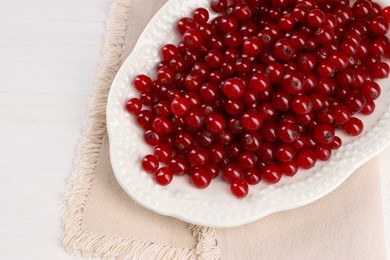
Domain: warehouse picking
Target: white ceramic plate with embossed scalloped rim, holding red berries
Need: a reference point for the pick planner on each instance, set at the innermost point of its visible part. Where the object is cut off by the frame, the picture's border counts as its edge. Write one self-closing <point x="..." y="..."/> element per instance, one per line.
<point x="215" y="206"/>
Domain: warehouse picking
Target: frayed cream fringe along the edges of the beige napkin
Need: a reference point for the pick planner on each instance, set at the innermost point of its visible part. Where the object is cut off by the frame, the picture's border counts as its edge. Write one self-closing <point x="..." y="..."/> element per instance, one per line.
<point x="74" y="239"/>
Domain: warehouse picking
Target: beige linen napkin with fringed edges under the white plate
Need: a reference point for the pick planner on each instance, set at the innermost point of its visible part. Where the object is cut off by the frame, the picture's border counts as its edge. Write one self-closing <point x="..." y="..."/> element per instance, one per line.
<point x="100" y="220"/>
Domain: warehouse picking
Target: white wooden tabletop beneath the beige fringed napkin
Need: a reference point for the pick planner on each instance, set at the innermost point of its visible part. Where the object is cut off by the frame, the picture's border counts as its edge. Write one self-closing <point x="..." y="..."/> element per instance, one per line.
<point x="49" y="54"/>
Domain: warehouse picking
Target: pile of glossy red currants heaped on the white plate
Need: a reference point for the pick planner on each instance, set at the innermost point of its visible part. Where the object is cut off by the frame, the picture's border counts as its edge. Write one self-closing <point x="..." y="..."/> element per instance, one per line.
<point x="257" y="92"/>
